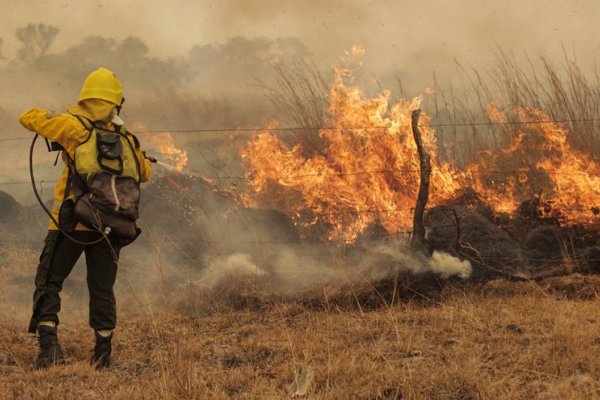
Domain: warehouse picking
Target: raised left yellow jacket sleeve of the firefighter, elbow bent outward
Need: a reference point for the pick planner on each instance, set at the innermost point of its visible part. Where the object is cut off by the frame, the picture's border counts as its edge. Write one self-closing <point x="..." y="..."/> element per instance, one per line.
<point x="58" y="127"/>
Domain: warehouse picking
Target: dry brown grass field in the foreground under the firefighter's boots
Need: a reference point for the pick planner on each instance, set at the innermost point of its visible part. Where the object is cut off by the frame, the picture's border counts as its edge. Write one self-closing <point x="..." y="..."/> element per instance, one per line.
<point x="402" y="340"/>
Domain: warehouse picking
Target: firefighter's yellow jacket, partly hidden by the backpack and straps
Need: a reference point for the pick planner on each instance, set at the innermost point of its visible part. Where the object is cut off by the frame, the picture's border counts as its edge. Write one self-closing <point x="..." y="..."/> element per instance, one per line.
<point x="69" y="132"/>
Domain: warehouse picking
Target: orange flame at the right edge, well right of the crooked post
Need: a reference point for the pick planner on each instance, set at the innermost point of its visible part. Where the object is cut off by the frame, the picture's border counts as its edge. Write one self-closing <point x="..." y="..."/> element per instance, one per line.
<point x="544" y="166"/>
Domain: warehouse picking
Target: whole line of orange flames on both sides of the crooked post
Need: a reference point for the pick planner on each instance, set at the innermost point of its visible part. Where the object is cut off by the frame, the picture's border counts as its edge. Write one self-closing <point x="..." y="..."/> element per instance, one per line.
<point x="366" y="171"/>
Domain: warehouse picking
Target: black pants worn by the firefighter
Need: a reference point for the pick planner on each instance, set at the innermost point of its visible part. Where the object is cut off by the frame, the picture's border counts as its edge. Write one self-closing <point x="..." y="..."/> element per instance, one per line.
<point x="56" y="262"/>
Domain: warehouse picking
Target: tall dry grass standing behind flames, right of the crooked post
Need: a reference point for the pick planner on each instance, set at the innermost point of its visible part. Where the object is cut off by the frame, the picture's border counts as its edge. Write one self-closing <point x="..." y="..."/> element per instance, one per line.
<point x="564" y="90"/>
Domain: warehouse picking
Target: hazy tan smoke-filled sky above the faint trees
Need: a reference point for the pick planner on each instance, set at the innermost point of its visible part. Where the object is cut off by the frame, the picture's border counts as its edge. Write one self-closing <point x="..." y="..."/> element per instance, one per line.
<point x="399" y="34"/>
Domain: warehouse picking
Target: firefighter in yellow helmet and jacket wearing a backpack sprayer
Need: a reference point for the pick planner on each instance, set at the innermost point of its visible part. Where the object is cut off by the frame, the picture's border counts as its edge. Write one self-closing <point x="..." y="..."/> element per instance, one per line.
<point x="96" y="112"/>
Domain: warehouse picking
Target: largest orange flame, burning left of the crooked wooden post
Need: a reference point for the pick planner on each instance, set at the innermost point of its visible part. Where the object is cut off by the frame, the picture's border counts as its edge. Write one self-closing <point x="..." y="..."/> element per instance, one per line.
<point x="365" y="172"/>
